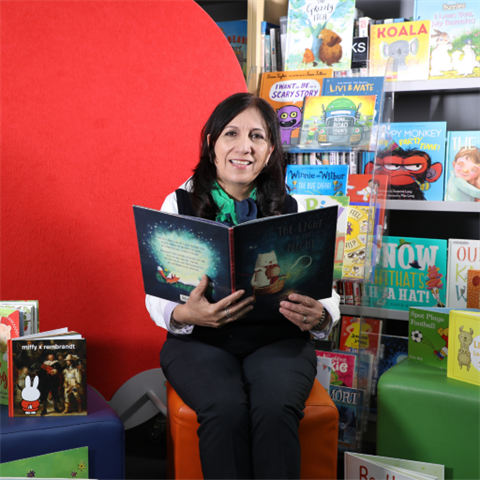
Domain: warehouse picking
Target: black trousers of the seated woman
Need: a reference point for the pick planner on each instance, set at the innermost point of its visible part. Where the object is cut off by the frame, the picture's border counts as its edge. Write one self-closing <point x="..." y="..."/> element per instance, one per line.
<point x="248" y="407"/>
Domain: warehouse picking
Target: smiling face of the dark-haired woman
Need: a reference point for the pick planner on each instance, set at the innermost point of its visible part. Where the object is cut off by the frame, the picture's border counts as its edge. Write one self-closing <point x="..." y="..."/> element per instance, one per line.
<point x="241" y="151"/>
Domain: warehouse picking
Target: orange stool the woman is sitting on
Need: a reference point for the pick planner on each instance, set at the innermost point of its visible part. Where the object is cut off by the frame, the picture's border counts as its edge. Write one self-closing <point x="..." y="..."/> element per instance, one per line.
<point x="318" y="438"/>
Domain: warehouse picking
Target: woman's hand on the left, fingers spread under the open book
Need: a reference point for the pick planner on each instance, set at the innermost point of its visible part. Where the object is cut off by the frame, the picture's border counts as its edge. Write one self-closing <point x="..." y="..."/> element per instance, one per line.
<point x="199" y="311"/>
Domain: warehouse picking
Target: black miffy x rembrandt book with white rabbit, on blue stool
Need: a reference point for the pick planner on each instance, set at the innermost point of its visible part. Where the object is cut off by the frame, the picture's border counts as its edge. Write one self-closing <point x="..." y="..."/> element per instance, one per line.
<point x="47" y="374"/>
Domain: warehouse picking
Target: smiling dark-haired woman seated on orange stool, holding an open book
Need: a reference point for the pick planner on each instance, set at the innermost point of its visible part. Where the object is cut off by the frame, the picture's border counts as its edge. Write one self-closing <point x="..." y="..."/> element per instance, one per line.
<point x="246" y="380"/>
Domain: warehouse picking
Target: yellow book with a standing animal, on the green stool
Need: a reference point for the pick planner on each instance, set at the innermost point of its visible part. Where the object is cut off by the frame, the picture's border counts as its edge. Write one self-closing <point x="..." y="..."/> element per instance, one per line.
<point x="464" y="346"/>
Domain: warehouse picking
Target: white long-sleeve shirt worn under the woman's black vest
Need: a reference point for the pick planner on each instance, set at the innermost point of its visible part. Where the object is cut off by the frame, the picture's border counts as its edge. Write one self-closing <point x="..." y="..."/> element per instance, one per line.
<point x="160" y="310"/>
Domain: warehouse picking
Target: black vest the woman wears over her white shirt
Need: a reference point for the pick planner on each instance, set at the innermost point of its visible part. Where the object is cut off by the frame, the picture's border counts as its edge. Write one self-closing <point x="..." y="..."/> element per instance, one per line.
<point x="242" y="336"/>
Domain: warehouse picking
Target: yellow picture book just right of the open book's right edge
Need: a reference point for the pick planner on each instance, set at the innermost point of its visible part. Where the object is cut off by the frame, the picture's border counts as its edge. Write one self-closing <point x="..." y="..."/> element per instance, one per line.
<point x="355" y="242"/>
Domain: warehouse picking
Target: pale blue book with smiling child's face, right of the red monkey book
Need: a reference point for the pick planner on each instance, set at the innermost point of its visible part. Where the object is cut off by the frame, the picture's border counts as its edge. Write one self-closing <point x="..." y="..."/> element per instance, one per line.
<point x="462" y="166"/>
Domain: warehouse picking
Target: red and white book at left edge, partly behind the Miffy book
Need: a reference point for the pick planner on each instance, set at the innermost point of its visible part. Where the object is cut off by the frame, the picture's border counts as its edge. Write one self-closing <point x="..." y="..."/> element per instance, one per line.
<point x="11" y="326"/>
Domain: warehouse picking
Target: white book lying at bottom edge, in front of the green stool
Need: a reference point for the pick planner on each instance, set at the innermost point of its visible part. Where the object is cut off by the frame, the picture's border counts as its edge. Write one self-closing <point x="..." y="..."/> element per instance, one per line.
<point x="362" y="466"/>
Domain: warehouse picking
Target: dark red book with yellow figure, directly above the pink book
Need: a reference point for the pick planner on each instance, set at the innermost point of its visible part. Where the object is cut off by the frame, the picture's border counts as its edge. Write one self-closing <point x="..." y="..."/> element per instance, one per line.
<point x="369" y="339"/>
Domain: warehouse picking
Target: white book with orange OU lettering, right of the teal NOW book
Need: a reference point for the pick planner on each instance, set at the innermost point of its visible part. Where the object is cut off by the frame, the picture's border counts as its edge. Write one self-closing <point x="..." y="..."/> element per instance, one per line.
<point x="463" y="256"/>
